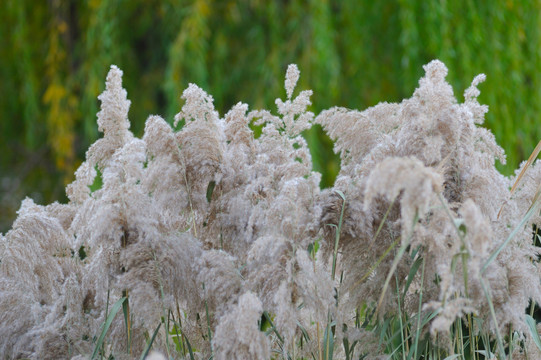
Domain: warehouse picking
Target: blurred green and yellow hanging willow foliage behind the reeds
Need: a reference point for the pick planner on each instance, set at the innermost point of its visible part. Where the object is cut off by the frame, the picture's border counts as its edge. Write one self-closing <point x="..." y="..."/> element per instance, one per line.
<point x="55" y="55"/>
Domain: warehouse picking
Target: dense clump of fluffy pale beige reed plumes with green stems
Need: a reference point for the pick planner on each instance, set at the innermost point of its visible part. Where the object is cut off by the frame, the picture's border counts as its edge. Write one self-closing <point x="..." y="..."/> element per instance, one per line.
<point x="202" y="240"/>
